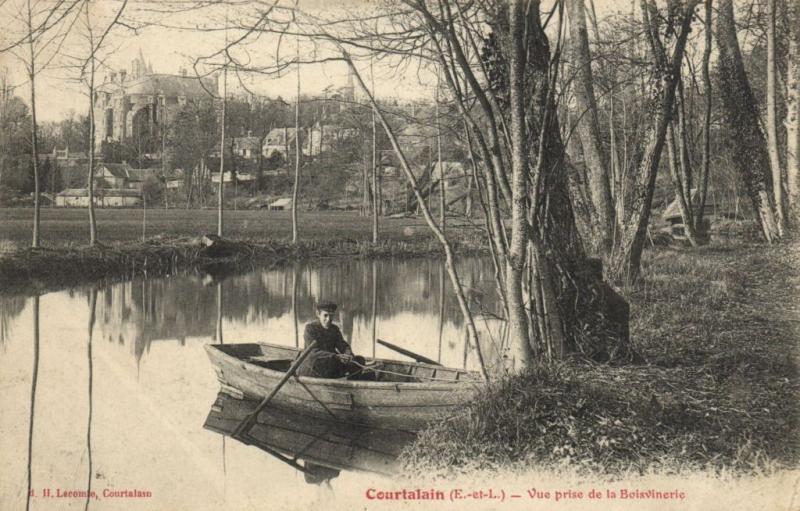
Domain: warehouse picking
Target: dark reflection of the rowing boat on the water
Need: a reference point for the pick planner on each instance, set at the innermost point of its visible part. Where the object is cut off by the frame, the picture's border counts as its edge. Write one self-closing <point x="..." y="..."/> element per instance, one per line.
<point x="324" y="446"/>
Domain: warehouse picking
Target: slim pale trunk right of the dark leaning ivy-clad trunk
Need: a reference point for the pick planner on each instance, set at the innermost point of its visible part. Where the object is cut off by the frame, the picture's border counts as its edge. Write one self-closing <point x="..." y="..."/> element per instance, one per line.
<point x="772" y="122"/>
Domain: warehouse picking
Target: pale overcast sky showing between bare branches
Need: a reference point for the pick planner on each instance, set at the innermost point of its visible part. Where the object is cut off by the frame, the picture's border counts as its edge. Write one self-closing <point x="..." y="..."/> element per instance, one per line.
<point x="170" y="49"/>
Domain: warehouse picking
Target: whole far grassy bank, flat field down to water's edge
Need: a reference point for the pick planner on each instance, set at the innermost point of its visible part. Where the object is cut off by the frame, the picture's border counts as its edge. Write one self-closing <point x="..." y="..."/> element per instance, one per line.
<point x="262" y="238"/>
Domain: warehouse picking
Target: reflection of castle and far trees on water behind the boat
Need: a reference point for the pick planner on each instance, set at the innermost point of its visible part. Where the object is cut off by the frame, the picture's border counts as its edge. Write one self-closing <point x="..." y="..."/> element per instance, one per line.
<point x="406" y="302"/>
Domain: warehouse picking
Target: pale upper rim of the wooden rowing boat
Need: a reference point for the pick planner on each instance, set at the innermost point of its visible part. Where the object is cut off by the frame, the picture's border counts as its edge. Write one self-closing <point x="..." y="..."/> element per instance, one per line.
<point x="214" y="351"/>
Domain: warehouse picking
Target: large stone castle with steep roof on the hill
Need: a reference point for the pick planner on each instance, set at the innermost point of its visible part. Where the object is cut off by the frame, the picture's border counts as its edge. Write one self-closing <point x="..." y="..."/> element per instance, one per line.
<point x="137" y="103"/>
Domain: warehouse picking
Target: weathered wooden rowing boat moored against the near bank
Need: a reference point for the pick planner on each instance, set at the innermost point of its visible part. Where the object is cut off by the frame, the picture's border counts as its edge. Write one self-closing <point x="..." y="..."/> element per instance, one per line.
<point x="405" y="396"/>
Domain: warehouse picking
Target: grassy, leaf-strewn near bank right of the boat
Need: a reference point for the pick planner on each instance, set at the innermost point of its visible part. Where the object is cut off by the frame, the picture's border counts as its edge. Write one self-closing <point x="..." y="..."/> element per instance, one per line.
<point x="718" y="328"/>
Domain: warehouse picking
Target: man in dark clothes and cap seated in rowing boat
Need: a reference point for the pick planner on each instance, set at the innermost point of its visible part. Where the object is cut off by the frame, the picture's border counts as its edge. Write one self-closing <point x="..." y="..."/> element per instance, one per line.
<point x="332" y="357"/>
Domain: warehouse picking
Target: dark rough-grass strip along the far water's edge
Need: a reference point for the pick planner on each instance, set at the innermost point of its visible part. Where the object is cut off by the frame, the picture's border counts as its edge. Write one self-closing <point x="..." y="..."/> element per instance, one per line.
<point x="35" y="271"/>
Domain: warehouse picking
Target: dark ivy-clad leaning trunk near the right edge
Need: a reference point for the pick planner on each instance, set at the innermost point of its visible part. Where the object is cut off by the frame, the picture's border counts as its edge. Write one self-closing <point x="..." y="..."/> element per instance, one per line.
<point x="746" y="141"/>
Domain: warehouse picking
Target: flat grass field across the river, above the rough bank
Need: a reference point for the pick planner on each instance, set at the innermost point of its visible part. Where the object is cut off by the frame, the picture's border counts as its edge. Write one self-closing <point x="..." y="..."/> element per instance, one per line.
<point x="68" y="226"/>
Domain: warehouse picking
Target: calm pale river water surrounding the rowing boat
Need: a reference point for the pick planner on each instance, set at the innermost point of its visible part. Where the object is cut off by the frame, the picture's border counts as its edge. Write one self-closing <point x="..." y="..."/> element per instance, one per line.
<point x="123" y="387"/>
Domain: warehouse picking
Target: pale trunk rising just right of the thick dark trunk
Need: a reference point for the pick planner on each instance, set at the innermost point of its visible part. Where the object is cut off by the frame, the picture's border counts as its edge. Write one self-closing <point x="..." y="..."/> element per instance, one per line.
<point x="601" y="208"/>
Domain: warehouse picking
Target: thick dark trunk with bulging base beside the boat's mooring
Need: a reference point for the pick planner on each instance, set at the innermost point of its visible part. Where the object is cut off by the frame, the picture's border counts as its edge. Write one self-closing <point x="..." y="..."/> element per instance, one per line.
<point x="576" y="311"/>
